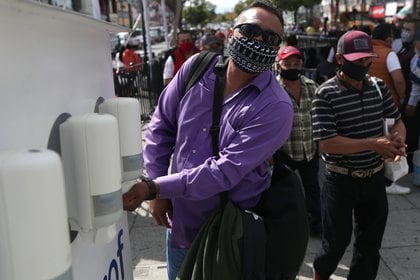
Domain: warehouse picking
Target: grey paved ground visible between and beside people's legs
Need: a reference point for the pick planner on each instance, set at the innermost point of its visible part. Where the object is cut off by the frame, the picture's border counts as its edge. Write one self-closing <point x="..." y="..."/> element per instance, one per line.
<point x="400" y="254"/>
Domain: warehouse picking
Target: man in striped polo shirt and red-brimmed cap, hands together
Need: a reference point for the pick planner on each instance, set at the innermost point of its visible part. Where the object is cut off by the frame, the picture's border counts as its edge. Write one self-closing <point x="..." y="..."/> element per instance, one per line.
<point x="347" y="118"/>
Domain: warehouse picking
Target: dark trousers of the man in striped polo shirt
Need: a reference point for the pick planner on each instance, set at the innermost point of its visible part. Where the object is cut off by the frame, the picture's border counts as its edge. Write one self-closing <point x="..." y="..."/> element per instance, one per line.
<point x="342" y="197"/>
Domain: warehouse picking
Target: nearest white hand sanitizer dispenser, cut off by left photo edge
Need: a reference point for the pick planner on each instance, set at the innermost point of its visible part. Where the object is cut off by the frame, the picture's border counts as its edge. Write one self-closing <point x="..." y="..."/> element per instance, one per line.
<point x="34" y="234"/>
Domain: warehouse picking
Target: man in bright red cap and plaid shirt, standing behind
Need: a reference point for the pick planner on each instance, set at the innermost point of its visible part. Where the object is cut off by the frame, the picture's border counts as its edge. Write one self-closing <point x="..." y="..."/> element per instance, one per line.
<point x="300" y="146"/>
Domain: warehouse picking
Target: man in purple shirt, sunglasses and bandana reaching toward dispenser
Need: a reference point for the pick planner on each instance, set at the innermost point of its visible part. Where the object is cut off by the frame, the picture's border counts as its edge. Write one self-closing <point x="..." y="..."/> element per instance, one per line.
<point x="256" y="120"/>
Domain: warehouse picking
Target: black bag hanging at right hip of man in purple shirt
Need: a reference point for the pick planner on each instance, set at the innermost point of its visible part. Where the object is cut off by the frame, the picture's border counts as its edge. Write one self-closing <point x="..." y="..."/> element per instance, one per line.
<point x="283" y="210"/>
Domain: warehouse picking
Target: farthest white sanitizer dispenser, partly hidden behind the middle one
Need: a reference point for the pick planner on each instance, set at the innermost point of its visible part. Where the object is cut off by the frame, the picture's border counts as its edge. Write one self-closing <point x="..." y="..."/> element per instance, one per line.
<point x="127" y="112"/>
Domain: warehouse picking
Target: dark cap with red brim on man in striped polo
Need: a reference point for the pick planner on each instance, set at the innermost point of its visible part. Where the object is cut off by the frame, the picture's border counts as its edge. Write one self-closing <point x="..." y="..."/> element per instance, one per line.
<point x="354" y="45"/>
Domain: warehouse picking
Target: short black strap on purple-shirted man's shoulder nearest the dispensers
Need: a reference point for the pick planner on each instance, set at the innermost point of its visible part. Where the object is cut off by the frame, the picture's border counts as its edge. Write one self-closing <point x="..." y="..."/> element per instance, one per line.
<point x="199" y="66"/>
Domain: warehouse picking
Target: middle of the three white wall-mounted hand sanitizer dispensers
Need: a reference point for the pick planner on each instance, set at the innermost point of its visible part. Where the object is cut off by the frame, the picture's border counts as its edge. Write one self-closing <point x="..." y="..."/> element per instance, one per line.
<point x="91" y="162"/>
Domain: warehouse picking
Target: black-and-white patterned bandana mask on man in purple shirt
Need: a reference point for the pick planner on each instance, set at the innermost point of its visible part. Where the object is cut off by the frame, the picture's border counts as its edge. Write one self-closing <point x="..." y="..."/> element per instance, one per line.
<point x="251" y="56"/>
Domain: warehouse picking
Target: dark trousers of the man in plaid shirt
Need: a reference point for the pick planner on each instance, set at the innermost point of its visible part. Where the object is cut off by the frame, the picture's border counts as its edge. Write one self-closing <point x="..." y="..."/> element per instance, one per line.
<point x="308" y="171"/>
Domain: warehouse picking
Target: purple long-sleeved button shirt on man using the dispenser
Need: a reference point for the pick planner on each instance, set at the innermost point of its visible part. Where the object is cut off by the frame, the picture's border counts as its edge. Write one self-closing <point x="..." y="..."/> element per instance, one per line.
<point x="256" y="120"/>
